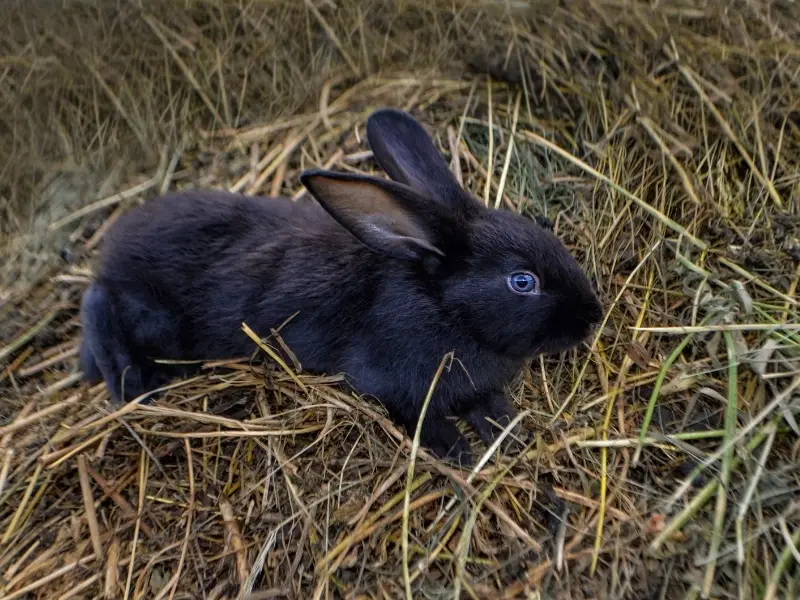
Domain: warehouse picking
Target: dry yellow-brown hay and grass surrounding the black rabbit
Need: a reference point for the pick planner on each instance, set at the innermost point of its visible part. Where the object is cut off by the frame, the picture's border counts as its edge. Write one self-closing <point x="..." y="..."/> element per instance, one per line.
<point x="662" y="143"/>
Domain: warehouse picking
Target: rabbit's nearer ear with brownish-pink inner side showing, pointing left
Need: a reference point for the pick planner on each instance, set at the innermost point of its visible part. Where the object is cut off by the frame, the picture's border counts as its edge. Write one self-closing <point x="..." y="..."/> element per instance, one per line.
<point x="388" y="217"/>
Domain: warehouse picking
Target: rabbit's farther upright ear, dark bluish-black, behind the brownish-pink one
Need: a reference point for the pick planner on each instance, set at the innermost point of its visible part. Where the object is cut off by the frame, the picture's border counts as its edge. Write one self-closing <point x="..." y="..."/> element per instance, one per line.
<point x="406" y="152"/>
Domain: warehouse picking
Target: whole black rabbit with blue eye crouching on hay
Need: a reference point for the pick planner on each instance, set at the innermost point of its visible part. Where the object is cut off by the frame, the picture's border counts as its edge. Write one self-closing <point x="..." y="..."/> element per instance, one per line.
<point x="386" y="278"/>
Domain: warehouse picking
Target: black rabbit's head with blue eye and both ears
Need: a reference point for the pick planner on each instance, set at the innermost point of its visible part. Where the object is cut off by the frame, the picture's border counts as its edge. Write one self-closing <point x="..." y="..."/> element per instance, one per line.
<point x="507" y="282"/>
